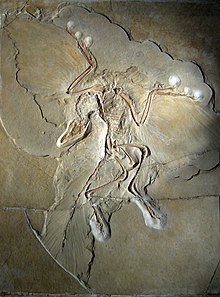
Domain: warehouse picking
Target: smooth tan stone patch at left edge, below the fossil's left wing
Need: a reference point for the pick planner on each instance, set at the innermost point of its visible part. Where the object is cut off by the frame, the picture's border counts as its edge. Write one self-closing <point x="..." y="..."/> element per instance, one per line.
<point x="26" y="181"/>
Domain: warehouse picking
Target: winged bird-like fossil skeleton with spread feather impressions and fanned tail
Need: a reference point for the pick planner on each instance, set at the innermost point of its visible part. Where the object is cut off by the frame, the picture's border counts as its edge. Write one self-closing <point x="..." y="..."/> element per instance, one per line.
<point x="114" y="112"/>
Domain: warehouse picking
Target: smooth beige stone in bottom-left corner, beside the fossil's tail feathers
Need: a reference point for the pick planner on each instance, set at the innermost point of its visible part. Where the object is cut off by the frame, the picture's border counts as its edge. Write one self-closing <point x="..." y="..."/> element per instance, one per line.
<point x="24" y="265"/>
